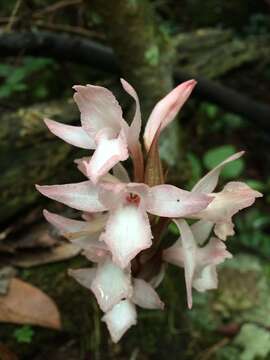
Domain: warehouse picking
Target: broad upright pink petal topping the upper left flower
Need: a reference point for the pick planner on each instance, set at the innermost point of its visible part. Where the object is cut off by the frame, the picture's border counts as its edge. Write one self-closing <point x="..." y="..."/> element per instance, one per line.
<point x="99" y="109"/>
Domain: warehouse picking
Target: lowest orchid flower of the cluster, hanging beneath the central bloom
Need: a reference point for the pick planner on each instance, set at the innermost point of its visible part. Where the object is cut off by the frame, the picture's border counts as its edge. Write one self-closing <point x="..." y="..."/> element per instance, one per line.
<point x="117" y="294"/>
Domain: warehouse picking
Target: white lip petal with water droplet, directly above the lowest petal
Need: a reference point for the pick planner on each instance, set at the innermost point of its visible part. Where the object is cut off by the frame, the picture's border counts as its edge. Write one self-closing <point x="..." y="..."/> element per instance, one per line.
<point x="111" y="285"/>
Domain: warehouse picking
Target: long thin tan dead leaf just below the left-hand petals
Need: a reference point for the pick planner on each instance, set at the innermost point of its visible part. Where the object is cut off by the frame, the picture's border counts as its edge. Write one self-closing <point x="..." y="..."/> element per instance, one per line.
<point x="59" y="253"/>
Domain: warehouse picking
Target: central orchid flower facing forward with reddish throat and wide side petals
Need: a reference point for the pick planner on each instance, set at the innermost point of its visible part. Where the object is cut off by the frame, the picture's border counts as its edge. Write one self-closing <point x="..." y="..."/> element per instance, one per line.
<point x="127" y="230"/>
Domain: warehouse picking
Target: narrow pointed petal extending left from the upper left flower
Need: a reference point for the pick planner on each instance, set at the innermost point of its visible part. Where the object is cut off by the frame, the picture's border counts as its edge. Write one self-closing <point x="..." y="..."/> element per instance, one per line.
<point x="74" y="135"/>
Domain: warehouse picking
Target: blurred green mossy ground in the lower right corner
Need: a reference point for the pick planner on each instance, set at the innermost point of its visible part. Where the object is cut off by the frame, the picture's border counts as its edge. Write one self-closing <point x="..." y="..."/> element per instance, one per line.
<point x="242" y="298"/>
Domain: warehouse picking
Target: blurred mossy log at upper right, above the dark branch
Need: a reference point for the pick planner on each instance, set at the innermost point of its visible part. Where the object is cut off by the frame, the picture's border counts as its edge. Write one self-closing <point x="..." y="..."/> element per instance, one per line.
<point x="214" y="52"/>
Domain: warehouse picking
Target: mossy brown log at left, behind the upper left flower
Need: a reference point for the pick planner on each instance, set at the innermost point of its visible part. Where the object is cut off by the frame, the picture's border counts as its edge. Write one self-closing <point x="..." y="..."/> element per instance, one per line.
<point x="30" y="154"/>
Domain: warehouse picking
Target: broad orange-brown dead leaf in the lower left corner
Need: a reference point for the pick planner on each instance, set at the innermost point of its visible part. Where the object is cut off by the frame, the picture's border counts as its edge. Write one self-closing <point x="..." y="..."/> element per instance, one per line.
<point x="26" y="304"/>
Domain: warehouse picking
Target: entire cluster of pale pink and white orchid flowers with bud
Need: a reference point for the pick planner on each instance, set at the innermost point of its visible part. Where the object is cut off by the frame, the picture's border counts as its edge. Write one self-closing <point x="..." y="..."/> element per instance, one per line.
<point x="123" y="218"/>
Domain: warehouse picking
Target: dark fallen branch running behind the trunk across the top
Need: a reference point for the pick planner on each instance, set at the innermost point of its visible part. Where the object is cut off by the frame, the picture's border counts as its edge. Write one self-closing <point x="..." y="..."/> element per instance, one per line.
<point x="74" y="49"/>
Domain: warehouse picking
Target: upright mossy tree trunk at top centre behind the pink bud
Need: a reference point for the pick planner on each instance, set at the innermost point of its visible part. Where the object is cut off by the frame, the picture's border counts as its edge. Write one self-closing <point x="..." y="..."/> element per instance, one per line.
<point x="144" y="53"/>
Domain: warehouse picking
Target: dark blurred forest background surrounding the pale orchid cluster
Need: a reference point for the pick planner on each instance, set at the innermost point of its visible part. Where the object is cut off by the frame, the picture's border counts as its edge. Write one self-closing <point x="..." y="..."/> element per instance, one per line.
<point x="45" y="48"/>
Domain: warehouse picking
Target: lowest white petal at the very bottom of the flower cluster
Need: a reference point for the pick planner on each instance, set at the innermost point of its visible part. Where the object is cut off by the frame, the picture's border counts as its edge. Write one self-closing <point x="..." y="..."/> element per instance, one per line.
<point x="120" y="319"/>
